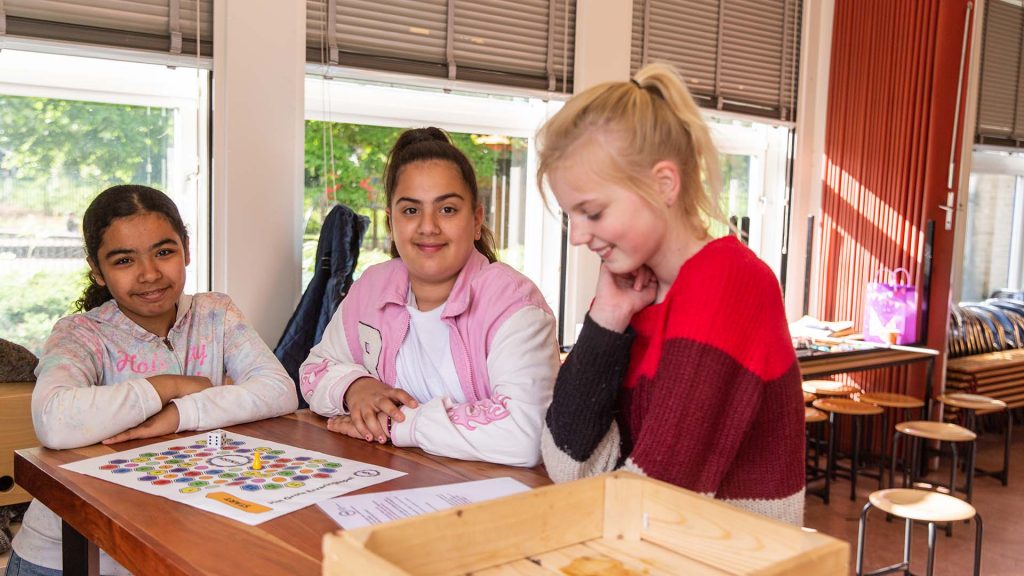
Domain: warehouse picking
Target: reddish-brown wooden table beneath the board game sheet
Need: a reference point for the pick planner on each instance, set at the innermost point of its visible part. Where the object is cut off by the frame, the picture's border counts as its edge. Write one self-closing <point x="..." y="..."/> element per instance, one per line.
<point x="156" y="537"/>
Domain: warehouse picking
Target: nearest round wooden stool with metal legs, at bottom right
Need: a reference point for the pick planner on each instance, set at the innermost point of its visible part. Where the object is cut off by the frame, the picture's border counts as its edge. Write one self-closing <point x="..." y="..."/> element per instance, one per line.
<point x="922" y="506"/>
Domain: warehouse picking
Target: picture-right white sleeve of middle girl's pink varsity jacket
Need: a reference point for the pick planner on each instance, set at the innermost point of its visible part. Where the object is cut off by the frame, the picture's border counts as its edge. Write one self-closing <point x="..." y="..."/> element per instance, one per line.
<point x="506" y="428"/>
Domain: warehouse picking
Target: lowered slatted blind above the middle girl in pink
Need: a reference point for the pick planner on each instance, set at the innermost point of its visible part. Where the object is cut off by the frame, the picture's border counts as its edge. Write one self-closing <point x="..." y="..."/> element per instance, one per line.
<point x="524" y="44"/>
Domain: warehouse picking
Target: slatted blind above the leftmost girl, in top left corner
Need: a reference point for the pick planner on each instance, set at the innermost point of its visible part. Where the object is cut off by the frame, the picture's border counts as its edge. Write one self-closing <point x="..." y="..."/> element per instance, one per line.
<point x="147" y="25"/>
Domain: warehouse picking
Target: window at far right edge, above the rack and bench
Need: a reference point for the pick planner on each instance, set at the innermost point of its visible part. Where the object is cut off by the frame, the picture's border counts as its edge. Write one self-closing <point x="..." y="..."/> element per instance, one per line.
<point x="994" y="248"/>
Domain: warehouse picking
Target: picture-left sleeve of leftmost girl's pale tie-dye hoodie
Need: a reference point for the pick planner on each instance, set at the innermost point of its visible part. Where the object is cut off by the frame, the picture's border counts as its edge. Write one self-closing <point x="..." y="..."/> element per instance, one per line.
<point x="70" y="409"/>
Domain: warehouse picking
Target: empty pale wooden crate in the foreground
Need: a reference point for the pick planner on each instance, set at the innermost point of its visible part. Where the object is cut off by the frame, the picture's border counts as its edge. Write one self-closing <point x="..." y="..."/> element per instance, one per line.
<point x="619" y="524"/>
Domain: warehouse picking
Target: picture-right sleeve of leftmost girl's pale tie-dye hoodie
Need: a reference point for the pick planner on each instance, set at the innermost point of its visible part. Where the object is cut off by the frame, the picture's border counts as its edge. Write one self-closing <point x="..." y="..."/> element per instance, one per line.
<point x="262" y="388"/>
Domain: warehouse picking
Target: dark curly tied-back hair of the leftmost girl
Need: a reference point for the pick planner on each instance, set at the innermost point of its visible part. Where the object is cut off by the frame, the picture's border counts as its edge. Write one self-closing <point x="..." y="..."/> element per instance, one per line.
<point x="120" y="202"/>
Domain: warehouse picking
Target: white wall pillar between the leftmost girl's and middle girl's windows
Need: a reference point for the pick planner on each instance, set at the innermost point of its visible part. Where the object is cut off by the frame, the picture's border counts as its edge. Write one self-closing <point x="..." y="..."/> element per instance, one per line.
<point x="259" y="140"/>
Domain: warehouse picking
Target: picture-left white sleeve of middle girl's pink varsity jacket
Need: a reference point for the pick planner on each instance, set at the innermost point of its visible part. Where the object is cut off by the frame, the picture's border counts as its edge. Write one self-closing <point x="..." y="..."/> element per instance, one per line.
<point x="330" y="369"/>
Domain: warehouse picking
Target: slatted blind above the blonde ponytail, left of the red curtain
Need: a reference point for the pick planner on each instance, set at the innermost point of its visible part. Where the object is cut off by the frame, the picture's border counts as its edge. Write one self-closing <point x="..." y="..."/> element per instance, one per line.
<point x="740" y="56"/>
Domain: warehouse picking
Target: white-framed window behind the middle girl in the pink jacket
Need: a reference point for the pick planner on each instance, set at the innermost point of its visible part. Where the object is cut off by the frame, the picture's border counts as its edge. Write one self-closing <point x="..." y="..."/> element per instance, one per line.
<point x="351" y="128"/>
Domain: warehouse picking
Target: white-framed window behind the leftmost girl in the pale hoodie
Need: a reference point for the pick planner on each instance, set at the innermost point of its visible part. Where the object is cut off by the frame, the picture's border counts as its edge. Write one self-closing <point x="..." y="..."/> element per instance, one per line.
<point x="70" y="128"/>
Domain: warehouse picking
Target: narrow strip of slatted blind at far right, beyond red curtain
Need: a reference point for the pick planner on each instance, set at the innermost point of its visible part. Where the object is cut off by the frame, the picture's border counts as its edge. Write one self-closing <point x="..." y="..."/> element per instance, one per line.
<point x="1001" y="98"/>
